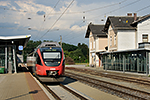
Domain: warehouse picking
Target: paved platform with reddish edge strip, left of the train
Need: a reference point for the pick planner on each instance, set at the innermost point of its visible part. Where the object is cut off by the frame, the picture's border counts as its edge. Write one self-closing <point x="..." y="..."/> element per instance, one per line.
<point x="20" y="86"/>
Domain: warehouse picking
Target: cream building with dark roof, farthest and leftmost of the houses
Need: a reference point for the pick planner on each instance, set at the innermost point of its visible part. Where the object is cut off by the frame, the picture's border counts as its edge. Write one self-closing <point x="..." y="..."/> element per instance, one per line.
<point x="97" y="43"/>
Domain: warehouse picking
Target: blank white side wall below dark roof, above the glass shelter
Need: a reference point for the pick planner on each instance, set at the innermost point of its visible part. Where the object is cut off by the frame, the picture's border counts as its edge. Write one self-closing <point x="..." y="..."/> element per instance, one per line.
<point x="126" y="39"/>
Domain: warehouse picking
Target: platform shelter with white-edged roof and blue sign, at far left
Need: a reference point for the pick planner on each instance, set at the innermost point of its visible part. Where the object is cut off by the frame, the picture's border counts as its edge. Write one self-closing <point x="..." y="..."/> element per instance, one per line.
<point x="9" y="45"/>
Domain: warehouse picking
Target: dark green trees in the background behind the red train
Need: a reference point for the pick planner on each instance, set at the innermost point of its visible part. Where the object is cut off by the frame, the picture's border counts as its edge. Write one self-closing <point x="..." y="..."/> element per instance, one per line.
<point x="78" y="53"/>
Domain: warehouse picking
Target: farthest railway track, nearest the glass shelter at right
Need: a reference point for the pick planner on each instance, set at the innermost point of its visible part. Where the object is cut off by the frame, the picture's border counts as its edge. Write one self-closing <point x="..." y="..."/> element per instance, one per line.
<point x="108" y="75"/>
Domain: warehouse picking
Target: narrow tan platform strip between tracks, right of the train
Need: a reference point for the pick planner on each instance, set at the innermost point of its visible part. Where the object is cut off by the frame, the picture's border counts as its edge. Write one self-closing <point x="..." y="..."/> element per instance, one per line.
<point x="88" y="91"/>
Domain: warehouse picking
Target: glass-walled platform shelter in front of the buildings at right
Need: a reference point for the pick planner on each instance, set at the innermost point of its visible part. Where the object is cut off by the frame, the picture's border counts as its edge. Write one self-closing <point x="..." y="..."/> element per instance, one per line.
<point x="136" y="60"/>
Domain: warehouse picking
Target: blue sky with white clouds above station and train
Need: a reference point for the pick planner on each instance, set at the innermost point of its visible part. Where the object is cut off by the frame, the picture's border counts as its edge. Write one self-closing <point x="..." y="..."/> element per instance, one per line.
<point x="50" y="19"/>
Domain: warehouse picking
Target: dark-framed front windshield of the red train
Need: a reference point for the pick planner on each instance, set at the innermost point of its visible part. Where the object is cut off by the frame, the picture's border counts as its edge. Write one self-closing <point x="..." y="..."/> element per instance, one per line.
<point x="52" y="56"/>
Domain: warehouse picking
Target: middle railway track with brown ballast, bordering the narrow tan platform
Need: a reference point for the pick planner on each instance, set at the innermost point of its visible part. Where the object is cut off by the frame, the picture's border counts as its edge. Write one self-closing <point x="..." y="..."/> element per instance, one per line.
<point x="119" y="90"/>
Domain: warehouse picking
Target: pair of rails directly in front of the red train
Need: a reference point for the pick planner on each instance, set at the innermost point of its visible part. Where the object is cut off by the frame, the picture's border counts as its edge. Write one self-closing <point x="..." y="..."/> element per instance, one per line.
<point x="58" y="97"/>
